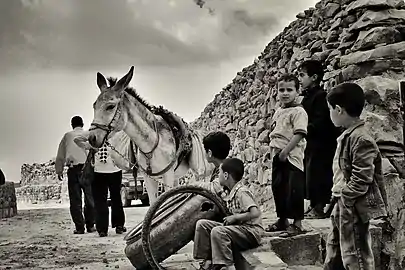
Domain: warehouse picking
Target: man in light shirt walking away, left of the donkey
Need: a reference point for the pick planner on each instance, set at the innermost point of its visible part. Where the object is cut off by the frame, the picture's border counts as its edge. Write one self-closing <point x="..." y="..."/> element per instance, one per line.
<point x="71" y="155"/>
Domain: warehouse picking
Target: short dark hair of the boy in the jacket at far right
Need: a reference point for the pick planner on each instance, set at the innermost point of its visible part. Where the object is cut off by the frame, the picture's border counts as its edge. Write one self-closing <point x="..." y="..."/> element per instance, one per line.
<point x="349" y="96"/>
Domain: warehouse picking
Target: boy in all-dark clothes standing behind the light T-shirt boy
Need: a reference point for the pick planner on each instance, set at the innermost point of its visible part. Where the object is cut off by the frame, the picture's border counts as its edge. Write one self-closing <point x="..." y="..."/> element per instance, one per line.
<point x="321" y="139"/>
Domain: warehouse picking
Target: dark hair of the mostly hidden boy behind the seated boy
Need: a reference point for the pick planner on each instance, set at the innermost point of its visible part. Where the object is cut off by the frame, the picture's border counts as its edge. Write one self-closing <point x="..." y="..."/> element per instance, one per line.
<point x="219" y="143"/>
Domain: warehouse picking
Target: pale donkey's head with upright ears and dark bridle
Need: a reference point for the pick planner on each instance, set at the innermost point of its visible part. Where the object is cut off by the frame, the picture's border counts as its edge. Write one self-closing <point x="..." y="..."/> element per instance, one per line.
<point x="109" y="113"/>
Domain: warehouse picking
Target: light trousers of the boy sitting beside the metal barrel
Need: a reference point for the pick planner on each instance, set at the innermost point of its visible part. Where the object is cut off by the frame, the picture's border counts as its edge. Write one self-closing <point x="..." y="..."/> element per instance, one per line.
<point x="214" y="241"/>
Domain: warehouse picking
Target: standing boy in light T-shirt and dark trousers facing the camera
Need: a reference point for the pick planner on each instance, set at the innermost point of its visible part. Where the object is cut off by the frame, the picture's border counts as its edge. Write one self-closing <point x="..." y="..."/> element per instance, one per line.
<point x="287" y="146"/>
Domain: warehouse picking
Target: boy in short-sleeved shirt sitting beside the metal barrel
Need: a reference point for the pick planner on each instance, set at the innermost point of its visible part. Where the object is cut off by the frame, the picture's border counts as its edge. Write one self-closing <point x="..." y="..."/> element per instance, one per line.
<point x="242" y="230"/>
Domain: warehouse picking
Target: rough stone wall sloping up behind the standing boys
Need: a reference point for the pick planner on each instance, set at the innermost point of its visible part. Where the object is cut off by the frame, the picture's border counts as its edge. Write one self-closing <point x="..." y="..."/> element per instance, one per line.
<point x="360" y="41"/>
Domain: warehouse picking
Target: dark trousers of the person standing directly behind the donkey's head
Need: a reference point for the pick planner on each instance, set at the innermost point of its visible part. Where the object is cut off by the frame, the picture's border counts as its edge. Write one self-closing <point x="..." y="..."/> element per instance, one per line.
<point x="100" y="186"/>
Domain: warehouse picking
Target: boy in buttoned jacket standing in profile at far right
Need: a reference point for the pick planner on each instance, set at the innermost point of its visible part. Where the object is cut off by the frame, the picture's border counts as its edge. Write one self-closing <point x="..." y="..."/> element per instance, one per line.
<point x="357" y="183"/>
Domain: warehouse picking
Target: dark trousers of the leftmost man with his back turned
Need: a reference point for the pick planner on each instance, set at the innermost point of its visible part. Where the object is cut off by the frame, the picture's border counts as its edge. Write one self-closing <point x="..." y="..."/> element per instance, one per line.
<point x="75" y="187"/>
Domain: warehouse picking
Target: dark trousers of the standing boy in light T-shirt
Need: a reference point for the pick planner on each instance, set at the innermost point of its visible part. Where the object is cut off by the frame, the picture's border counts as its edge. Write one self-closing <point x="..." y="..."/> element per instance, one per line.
<point x="288" y="186"/>
